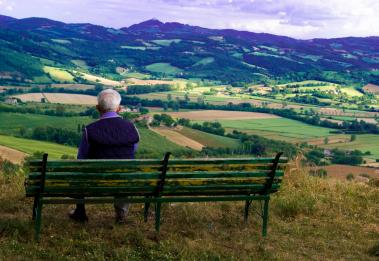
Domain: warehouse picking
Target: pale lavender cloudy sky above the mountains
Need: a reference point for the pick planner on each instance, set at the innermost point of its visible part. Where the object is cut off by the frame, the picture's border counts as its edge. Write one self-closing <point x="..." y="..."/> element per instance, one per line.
<point x="302" y="19"/>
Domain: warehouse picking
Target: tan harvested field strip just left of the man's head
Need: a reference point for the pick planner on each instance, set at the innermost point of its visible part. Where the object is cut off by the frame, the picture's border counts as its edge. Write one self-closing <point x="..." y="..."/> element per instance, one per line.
<point x="64" y="98"/>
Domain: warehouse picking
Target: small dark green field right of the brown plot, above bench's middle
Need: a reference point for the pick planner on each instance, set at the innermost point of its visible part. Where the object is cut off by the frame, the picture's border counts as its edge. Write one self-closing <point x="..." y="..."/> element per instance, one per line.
<point x="209" y="140"/>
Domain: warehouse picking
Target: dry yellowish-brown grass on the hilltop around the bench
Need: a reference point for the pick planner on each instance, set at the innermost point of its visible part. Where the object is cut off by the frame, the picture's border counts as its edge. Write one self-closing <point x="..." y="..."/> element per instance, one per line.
<point x="310" y="219"/>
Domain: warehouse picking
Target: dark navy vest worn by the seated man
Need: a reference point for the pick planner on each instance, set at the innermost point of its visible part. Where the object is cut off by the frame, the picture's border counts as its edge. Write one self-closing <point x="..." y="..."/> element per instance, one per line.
<point x="111" y="138"/>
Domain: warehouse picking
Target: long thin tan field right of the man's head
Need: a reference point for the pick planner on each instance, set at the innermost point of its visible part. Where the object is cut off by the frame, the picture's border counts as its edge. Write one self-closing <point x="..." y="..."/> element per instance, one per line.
<point x="212" y="115"/>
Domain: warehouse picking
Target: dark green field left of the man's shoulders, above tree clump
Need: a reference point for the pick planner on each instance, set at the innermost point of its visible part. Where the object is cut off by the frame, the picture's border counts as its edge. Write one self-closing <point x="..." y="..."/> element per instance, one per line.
<point x="10" y="123"/>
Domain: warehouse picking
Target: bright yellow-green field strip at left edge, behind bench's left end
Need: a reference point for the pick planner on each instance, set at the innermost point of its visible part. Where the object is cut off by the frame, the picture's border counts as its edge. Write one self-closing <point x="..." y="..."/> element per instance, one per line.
<point x="54" y="150"/>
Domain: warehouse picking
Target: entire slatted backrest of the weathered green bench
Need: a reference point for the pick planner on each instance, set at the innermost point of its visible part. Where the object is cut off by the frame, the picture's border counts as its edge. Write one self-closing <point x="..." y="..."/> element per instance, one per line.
<point x="165" y="177"/>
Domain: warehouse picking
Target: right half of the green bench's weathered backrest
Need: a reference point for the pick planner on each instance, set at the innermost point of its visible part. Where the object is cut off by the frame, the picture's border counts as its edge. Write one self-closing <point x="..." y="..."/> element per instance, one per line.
<point x="223" y="176"/>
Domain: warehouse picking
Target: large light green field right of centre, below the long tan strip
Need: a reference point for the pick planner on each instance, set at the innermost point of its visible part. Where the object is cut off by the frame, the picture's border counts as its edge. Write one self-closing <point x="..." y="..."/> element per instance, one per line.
<point x="281" y="126"/>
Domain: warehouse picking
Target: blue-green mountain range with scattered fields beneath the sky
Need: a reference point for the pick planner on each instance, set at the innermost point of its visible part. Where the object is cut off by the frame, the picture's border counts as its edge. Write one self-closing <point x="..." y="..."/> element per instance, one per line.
<point x="179" y="50"/>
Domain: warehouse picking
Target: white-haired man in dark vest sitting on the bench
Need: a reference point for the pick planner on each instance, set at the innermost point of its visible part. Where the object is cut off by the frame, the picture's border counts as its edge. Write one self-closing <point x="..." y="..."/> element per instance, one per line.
<point x="111" y="137"/>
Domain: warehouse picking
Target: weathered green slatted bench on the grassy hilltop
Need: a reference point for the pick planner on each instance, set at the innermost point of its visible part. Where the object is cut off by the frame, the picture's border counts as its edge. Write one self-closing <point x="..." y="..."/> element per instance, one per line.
<point x="154" y="182"/>
